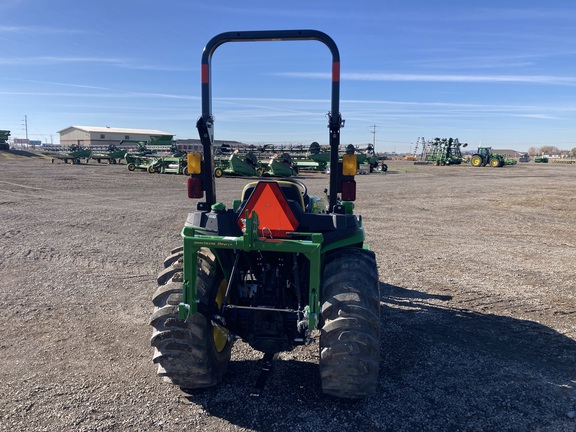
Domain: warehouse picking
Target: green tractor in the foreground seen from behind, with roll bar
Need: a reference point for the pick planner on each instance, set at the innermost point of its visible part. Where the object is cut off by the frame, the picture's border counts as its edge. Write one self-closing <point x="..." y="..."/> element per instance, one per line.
<point x="276" y="270"/>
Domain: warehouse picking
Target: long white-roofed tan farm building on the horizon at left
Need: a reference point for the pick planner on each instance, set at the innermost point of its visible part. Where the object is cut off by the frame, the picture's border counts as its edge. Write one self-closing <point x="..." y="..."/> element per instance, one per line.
<point x="94" y="136"/>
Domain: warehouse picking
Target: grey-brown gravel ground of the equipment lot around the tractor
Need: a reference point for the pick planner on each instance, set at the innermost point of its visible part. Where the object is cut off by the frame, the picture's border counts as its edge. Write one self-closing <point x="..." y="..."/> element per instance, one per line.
<point x="478" y="315"/>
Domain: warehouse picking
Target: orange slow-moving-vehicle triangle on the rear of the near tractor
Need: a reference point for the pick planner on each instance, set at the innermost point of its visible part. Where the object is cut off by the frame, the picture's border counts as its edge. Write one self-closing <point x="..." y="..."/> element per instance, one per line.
<point x="275" y="217"/>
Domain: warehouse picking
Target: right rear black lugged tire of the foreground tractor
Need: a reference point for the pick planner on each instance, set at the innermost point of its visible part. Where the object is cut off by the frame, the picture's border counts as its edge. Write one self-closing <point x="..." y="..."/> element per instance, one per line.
<point x="350" y="331"/>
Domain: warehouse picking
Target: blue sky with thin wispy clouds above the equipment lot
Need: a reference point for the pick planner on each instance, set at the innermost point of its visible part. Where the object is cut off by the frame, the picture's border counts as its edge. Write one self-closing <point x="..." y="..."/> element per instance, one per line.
<point x="500" y="73"/>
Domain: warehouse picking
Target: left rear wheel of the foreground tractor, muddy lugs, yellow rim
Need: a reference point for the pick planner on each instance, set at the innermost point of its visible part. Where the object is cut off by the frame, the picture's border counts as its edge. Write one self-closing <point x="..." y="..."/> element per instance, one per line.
<point x="190" y="353"/>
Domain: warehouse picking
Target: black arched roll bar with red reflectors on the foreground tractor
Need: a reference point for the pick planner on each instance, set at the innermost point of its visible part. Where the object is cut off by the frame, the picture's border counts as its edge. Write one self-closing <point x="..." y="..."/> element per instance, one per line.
<point x="205" y="123"/>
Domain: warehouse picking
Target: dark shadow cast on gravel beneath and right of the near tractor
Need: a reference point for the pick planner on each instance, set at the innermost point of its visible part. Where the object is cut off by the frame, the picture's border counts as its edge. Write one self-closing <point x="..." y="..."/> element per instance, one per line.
<point x="441" y="369"/>
